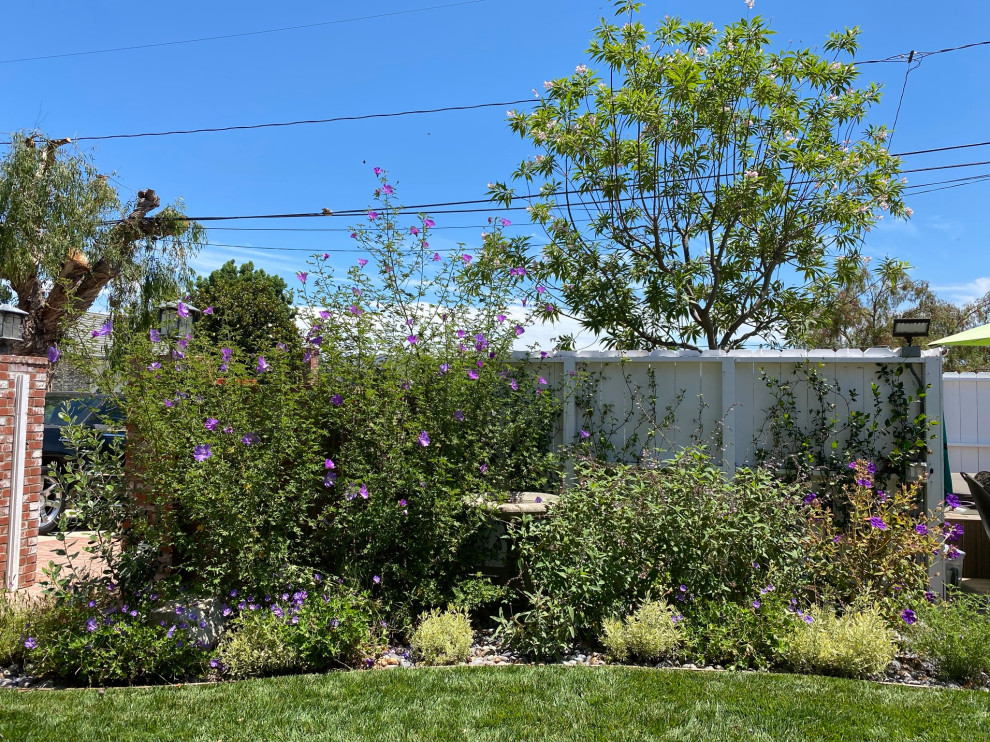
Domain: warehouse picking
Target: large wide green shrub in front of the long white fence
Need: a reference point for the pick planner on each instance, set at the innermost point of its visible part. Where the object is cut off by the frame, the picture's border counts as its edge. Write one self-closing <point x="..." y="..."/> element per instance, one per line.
<point x="622" y="533"/>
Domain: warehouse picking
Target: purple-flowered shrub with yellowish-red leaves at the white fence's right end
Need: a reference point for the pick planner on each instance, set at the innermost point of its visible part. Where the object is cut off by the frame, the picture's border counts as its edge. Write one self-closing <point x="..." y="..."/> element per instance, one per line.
<point x="876" y="548"/>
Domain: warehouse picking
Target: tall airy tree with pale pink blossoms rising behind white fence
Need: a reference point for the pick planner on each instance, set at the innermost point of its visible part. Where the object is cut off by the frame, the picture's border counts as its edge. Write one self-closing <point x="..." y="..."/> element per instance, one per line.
<point x="697" y="191"/>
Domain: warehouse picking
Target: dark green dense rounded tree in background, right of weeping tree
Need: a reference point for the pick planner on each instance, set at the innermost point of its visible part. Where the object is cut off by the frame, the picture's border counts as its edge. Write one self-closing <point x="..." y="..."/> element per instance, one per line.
<point x="251" y="308"/>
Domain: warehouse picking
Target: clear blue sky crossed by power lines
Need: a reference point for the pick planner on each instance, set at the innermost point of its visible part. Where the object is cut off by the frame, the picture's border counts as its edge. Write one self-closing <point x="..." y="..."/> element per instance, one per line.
<point x="496" y="50"/>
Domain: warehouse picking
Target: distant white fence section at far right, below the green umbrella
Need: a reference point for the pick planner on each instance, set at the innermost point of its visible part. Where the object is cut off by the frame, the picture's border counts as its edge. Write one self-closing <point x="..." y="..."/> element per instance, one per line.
<point x="966" y="401"/>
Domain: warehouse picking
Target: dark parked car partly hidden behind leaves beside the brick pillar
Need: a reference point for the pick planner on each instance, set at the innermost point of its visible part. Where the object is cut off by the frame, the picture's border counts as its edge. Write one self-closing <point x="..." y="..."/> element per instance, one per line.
<point x="61" y="409"/>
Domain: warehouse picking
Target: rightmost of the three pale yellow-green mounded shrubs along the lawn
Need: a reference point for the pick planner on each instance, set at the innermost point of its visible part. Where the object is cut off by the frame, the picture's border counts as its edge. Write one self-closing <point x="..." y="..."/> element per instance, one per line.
<point x="856" y="644"/>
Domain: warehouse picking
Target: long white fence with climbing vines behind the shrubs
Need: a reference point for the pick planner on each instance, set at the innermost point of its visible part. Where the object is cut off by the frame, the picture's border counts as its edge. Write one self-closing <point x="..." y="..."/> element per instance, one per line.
<point x="696" y="395"/>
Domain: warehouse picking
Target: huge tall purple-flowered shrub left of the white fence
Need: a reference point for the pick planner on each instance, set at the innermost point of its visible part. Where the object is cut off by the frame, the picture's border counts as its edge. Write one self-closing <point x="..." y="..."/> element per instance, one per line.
<point x="241" y="468"/>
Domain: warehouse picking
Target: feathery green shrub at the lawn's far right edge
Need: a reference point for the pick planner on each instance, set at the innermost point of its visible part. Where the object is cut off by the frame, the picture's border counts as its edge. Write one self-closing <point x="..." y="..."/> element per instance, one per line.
<point x="954" y="635"/>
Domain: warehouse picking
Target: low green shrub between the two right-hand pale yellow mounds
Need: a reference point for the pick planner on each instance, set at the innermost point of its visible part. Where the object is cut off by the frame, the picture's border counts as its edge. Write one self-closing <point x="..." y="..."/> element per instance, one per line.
<point x="737" y="635"/>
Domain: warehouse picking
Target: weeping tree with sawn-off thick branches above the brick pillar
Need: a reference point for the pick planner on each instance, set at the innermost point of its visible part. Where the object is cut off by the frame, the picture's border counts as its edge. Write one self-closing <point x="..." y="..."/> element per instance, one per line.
<point x="66" y="239"/>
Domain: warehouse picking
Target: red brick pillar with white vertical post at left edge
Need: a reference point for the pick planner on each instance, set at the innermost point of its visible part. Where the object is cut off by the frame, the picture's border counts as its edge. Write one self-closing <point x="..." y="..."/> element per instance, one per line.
<point x="22" y="547"/>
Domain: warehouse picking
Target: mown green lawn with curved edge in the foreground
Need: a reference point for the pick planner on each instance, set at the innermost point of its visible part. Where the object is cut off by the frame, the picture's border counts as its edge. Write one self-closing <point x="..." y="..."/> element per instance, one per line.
<point x="521" y="703"/>
